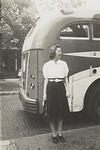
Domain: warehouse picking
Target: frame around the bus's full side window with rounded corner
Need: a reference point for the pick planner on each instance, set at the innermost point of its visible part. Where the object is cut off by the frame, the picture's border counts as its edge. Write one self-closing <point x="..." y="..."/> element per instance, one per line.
<point x="75" y="38"/>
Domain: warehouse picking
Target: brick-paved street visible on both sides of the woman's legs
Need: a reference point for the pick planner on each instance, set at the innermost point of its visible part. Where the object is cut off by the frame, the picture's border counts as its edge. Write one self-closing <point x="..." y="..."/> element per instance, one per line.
<point x="16" y="123"/>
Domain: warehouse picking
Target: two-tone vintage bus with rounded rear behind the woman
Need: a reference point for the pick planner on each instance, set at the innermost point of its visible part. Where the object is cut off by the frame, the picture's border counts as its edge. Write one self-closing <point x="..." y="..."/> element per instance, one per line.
<point x="78" y="34"/>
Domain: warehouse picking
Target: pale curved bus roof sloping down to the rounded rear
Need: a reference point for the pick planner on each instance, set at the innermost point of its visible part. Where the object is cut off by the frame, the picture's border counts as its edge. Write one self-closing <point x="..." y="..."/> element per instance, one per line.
<point x="44" y="34"/>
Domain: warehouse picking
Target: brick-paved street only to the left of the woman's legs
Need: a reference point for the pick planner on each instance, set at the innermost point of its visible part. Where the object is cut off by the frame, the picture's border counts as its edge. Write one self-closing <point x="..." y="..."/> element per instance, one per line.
<point x="17" y="123"/>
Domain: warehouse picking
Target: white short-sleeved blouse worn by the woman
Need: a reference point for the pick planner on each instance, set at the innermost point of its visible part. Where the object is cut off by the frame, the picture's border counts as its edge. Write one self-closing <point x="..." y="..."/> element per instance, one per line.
<point x="53" y="69"/>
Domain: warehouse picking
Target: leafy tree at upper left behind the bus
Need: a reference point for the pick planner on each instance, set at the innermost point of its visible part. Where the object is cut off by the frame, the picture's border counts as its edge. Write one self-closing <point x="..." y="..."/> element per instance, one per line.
<point x="17" y="17"/>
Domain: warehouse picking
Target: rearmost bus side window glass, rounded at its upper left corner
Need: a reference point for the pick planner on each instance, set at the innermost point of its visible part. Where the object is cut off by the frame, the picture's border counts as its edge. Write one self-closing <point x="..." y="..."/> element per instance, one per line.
<point x="75" y="30"/>
